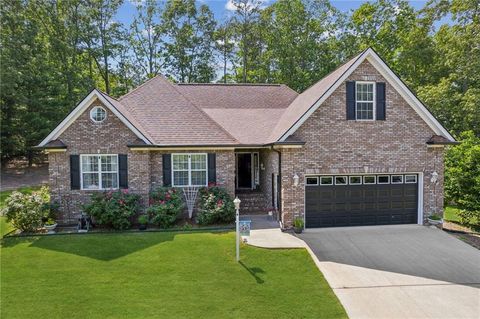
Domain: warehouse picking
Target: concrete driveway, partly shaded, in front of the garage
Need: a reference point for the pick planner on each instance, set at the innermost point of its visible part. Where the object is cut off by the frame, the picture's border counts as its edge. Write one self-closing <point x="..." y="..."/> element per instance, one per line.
<point x="406" y="271"/>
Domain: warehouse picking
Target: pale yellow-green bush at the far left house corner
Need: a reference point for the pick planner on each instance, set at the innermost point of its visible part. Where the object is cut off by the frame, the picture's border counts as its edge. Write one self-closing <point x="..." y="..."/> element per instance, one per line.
<point x="27" y="212"/>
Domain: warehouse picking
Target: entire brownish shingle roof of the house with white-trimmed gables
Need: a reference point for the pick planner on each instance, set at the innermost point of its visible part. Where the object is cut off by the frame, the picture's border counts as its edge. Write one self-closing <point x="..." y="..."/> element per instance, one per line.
<point x="161" y="113"/>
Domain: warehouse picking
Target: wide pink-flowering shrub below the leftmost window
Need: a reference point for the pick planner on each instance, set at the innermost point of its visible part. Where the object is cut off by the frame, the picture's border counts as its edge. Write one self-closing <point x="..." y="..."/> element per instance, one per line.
<point x="113" y="208"/>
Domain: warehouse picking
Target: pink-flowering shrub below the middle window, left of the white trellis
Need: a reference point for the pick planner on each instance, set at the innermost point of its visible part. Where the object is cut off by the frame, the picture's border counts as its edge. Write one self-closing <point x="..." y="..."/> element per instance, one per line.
<point x="166" y="204"/>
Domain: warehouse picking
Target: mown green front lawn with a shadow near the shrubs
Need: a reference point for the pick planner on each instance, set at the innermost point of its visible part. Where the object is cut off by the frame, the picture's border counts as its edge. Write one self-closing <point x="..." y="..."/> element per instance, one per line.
<point x="159" y="275"/>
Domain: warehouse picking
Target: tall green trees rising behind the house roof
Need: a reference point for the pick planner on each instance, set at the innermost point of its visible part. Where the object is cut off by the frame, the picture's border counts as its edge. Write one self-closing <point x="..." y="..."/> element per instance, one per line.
<point x="53" y="52"/>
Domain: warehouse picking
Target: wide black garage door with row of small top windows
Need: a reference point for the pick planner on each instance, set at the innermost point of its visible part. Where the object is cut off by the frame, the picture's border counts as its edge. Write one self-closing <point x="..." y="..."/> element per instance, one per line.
<point x="332" y="201"/>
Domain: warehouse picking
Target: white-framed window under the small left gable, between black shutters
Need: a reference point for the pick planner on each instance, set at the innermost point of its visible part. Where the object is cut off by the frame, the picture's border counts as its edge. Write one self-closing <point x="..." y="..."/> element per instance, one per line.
<point x="99" y="171"/>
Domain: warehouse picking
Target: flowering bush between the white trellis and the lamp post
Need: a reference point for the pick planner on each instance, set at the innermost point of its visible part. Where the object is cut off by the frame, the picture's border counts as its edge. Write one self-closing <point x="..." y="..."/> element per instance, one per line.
<point x="216" y="206"/>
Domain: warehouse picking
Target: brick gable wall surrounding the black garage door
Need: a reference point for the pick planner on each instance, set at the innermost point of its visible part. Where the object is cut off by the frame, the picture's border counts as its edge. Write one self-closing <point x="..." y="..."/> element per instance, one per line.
<point x="335" y="145"/>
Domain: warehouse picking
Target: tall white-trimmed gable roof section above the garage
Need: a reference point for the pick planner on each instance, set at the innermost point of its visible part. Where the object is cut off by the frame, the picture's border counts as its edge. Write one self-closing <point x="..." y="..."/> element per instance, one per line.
<point x="310" y="100"/>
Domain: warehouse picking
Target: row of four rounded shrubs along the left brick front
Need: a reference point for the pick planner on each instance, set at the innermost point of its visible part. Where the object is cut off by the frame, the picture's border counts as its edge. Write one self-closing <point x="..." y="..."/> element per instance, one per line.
<point x="115" y="209"/>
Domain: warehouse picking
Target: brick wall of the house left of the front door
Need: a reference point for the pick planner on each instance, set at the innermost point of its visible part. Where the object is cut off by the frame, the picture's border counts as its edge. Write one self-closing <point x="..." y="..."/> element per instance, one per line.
<point x="111" y="137"/>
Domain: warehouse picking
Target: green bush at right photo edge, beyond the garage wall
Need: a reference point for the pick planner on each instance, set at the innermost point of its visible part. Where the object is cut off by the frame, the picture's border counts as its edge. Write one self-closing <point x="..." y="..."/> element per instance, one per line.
<point x="462" y="177"/>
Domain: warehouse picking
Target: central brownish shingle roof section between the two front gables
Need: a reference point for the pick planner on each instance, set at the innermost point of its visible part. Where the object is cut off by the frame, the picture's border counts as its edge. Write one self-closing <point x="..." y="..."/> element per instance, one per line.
<point x="206" y="114"/>
